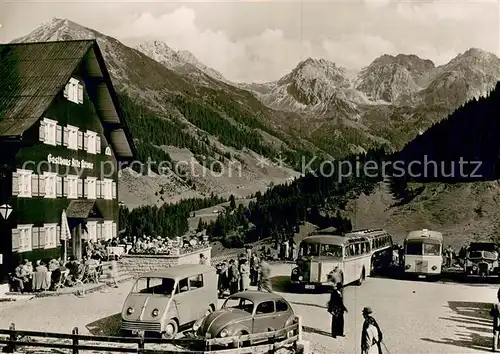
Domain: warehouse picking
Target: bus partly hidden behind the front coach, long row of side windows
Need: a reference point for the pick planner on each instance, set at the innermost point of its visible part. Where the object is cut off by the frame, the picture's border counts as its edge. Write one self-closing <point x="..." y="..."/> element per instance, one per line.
<point x="381" y="246"/>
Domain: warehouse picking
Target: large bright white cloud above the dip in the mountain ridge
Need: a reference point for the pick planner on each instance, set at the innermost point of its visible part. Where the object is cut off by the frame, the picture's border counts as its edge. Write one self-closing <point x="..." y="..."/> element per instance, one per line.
<point x="260" y="57"/>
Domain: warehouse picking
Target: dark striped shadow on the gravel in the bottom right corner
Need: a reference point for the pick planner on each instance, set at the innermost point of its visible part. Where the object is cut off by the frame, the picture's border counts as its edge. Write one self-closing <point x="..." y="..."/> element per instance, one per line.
<point x="473" y="323"/>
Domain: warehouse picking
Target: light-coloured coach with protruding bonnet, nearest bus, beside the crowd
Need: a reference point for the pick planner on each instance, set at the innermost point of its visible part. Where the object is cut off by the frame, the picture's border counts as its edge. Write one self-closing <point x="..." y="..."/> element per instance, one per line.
<point x="319" y="254"/>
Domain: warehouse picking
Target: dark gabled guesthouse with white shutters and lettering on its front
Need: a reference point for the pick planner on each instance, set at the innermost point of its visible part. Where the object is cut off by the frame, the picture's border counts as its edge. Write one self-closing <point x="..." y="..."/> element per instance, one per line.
<point x="62" y="142"/>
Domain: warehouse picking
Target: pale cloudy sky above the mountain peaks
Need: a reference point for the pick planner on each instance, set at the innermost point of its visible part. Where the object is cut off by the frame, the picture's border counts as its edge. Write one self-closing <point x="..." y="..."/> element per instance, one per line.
<point x="263" y="40"/>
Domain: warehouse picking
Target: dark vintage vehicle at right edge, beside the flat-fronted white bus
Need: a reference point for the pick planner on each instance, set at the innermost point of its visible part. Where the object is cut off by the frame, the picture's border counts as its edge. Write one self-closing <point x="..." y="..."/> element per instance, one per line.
<point x="482" y="259"/>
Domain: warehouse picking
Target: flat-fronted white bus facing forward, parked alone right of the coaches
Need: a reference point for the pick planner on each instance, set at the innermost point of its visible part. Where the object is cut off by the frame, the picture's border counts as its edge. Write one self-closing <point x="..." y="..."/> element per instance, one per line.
<point x="423" y="253"/>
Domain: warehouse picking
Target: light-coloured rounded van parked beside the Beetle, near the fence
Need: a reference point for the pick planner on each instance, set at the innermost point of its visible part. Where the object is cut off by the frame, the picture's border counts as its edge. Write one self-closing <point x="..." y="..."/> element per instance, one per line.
<point x="164" y="301"/>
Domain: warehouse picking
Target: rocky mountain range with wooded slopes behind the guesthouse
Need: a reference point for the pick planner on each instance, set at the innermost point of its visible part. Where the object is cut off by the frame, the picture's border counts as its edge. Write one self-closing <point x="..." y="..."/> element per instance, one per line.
<point x="316" y="109"/>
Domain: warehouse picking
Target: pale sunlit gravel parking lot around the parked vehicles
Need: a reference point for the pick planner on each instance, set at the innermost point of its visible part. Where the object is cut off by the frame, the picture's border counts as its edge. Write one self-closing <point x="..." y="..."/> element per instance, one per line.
<point x="415" y="316"/>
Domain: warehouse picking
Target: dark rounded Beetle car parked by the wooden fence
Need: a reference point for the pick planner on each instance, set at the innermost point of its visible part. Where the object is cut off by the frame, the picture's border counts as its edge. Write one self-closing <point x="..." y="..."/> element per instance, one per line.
<point x="247" y="312"/>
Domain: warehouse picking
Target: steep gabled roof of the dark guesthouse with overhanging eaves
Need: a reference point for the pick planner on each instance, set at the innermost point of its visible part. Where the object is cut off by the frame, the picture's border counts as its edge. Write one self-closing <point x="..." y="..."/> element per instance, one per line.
<point x="33" y="74"/>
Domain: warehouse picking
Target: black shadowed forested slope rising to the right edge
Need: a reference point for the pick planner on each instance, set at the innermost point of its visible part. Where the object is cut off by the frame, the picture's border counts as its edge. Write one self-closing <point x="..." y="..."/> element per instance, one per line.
<point x="461" y="148"/>
